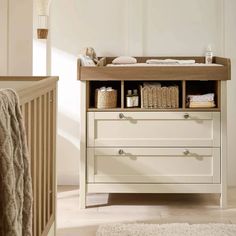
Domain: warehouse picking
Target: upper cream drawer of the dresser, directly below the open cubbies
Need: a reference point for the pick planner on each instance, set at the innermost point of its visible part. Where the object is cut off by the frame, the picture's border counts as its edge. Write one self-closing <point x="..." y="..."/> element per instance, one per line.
<point x="153" y="129"/>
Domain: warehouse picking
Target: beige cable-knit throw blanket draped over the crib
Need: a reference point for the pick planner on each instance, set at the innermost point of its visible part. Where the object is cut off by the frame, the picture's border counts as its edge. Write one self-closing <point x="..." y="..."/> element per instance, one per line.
<point x="15" y="177"/>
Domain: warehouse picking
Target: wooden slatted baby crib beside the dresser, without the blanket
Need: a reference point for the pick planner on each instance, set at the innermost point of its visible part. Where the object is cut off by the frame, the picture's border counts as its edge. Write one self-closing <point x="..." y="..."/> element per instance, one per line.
<point x="38" y="99"/>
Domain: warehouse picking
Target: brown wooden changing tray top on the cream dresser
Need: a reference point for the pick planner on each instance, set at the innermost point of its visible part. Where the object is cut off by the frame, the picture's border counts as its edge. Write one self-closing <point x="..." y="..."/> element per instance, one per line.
<point x="183" y="72"/>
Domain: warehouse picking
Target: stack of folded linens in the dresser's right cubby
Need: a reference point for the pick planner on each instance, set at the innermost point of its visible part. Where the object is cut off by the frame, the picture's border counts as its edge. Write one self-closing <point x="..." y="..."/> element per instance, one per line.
<point x="201" y="101"/>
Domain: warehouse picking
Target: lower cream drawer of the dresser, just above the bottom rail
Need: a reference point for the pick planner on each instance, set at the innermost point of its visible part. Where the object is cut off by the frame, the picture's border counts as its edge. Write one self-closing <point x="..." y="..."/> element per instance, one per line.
<point x="153" y="165"/>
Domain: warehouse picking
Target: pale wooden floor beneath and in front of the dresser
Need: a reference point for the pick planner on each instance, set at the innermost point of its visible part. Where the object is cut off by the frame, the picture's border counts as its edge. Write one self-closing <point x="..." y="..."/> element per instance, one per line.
<point x="149" y="208"/>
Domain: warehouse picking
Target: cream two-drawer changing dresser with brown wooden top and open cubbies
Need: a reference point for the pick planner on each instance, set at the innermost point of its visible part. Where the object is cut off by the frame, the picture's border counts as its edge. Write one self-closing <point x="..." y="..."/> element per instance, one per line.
<point x="125" y="150"/>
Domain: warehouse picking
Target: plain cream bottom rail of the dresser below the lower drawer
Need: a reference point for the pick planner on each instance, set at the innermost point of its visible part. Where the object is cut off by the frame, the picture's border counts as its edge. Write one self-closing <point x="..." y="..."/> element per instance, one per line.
<point x="153" y="188"/>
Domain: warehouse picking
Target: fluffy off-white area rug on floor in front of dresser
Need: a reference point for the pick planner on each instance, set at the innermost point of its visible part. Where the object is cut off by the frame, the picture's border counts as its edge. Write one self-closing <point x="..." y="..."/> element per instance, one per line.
<point x="184" y="229"/>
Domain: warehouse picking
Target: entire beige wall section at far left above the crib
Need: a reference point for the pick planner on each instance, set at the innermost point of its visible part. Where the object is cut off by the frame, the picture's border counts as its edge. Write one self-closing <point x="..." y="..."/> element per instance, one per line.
<point x="16" y="24"/>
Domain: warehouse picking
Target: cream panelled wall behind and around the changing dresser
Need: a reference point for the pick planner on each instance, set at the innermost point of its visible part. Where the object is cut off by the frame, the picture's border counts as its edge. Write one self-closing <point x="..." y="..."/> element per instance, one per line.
<point x="134" y="27"/>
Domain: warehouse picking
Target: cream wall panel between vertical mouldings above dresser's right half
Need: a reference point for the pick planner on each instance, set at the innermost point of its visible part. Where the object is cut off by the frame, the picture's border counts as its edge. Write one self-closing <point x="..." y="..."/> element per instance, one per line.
<point x="181" y="27"/>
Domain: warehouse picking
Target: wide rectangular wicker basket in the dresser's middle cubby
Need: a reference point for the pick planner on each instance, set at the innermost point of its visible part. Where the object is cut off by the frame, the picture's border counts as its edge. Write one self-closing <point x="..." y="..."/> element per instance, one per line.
<point x="159" y="97"/>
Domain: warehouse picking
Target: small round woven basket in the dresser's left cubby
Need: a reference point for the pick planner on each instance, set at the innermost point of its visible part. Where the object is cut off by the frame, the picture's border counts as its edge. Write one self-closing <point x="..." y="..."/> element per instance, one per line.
<point x="105" y="99"/>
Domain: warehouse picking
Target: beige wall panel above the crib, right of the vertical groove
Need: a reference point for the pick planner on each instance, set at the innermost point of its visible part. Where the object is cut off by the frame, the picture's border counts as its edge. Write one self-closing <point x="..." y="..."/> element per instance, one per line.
<point x="20" y="37"/>
